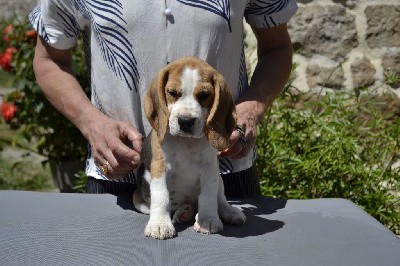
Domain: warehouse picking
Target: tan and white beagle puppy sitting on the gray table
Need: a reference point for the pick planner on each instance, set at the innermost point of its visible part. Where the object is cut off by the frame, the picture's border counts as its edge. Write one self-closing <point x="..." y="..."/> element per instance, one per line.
<point x="192" y="114"/>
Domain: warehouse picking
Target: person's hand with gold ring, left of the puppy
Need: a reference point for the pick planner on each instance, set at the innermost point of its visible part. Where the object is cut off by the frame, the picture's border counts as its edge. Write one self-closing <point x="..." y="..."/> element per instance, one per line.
<point x="116" y="146"/>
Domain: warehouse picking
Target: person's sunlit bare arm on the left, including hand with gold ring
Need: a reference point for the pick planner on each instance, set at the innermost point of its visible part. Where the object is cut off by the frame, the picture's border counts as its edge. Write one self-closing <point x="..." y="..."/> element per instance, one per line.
<point x="111" y="140"/>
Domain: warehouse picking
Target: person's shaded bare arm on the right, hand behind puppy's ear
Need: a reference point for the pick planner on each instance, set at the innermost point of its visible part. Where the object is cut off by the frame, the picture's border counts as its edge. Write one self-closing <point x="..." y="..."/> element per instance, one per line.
<point x="269" y="78"/>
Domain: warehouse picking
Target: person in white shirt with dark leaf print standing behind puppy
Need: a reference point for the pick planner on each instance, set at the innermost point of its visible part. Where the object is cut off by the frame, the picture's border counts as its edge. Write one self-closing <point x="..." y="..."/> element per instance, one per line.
<point x="127" y="42"/>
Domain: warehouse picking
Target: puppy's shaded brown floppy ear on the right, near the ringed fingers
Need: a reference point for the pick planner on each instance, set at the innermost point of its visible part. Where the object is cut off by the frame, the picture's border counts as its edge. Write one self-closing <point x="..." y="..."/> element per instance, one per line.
<point x="222" y="118"/>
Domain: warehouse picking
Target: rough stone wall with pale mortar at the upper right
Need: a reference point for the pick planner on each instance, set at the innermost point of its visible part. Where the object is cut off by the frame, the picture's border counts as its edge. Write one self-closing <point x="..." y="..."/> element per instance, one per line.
<point x="343" y="45"/>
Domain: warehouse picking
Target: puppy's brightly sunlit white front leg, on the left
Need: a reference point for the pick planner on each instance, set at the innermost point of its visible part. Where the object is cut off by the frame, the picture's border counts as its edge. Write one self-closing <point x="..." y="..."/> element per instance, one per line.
<point x="160" y="225"/>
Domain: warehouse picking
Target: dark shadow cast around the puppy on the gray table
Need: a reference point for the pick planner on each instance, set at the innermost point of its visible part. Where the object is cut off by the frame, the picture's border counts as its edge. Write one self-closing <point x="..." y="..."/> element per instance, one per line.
<point x="255" y="210"/>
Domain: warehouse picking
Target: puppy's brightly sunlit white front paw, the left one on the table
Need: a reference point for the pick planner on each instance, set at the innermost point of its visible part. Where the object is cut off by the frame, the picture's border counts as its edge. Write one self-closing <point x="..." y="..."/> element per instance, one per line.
<point x="160" y="229"/>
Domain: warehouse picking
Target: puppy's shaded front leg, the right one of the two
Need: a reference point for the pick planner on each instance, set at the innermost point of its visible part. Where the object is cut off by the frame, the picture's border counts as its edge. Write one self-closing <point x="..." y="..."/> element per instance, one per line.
<point x="207" y="219"/>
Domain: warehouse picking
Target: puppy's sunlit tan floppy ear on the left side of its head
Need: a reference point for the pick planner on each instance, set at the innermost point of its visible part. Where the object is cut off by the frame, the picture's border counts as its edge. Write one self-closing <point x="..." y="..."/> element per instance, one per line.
<point x="155" y="104"/>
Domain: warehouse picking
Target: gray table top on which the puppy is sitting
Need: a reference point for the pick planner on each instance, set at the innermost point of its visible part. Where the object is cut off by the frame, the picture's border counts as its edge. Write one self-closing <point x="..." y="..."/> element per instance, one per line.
<point x="79" y="229"/>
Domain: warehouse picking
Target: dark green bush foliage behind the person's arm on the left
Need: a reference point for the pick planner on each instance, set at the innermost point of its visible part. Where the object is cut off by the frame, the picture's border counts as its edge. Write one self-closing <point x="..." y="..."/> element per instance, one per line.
<point x="56" y="137"/>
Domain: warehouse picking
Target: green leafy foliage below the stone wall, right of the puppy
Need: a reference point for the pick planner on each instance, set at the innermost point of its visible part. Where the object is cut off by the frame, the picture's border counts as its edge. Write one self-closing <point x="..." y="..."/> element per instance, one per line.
<point x="338" y="145"/>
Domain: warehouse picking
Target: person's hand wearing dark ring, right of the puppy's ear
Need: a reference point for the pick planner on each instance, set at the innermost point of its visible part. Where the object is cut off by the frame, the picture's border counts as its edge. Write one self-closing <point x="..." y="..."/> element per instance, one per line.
<point x="243" y="138"/>
